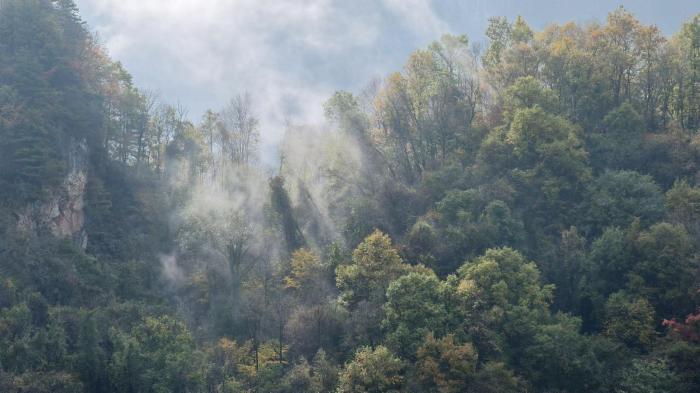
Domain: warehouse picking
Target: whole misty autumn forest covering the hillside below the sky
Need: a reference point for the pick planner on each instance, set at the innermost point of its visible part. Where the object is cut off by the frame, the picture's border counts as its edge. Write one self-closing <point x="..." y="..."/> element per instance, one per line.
<point x="522" y="216"/>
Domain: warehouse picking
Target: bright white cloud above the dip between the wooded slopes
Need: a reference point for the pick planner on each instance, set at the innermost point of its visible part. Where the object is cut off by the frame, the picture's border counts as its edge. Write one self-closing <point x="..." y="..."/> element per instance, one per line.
<point x="290" y="55"/>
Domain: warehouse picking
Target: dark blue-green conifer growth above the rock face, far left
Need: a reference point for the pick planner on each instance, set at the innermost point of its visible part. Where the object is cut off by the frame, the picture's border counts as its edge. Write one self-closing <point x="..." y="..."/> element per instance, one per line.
<point x="46" y="101"/>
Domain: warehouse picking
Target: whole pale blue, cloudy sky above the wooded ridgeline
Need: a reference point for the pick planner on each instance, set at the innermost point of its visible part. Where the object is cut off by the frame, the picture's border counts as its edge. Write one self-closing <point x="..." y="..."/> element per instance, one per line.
<point x="292" y="55"/>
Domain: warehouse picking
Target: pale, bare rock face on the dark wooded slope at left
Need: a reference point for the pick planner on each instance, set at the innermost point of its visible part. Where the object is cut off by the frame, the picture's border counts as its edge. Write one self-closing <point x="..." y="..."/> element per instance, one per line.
<point x="62" y="213"/>
